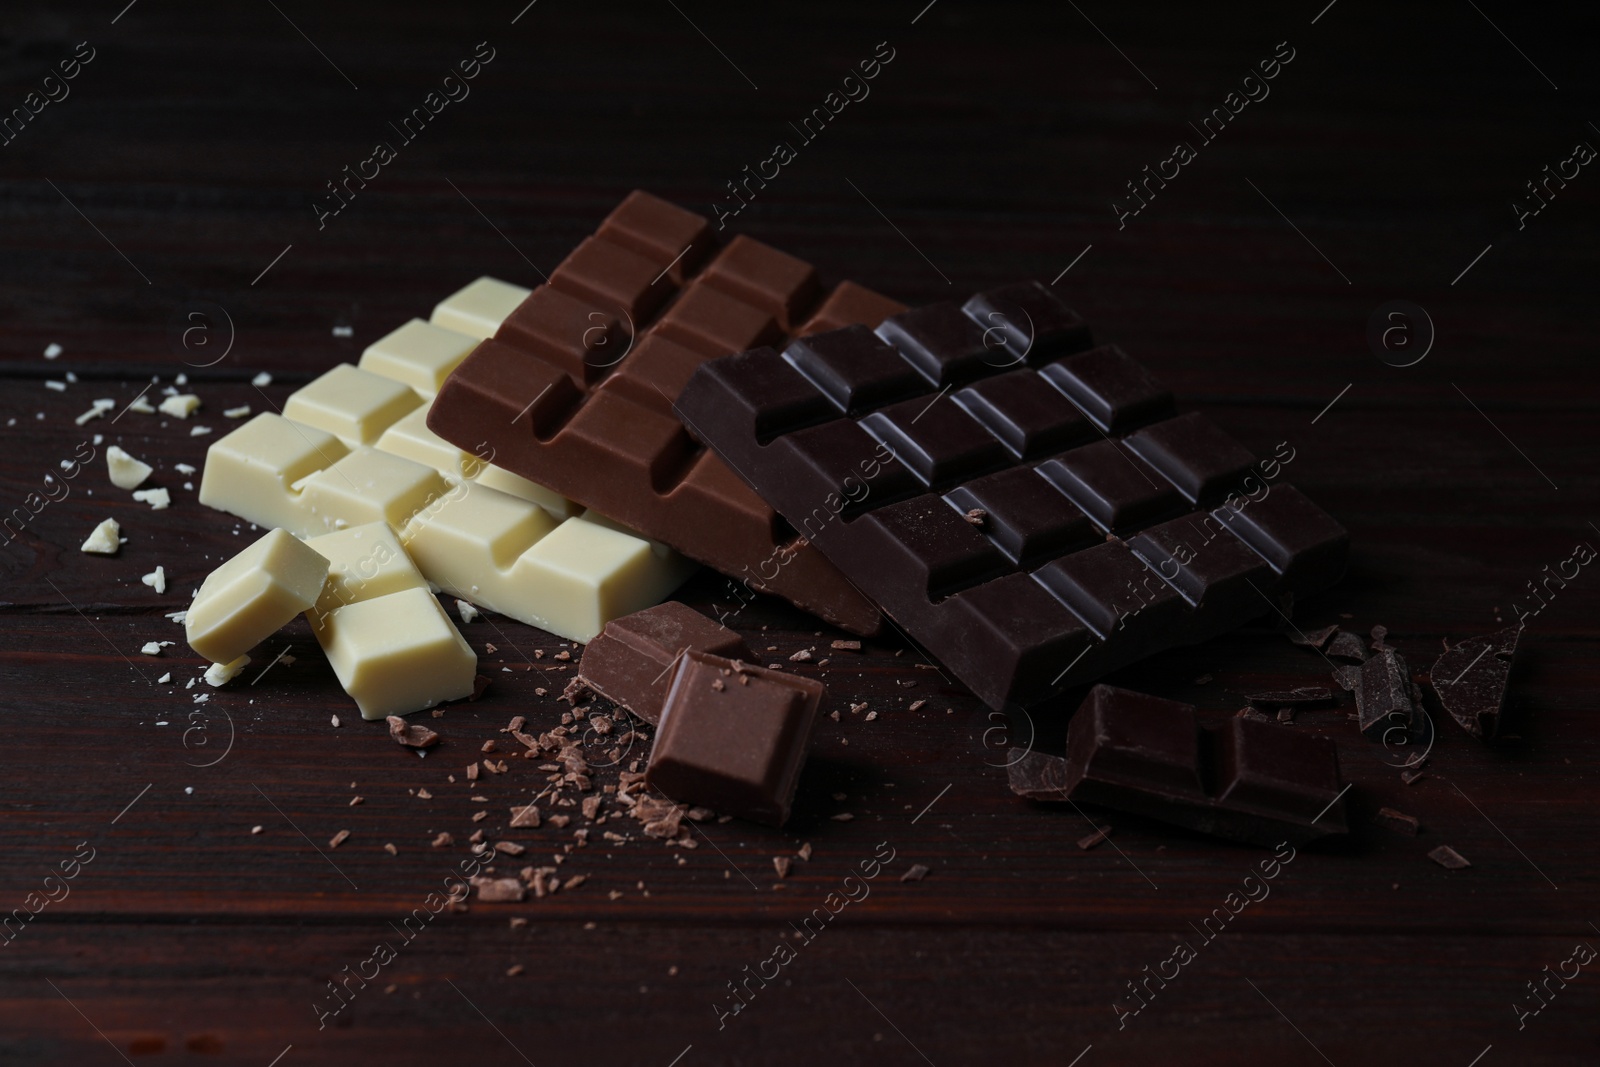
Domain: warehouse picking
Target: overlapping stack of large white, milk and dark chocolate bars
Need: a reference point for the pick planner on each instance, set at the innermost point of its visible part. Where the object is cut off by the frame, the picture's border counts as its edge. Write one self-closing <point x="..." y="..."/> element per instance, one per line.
<point x="1030" y="508"/>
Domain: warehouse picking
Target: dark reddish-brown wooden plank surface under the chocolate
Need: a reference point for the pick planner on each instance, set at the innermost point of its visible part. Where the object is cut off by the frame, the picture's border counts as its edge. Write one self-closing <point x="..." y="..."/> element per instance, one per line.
<point x="186" y="161"/>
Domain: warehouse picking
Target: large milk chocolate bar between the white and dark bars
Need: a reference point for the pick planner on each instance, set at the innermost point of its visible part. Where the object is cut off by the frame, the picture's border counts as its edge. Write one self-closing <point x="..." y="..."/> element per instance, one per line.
<point x="575" y="391"/>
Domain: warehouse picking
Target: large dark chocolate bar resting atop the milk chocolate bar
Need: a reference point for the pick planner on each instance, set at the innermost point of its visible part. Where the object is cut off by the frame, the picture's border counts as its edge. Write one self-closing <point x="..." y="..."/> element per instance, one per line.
<point x="1031" y="510"/>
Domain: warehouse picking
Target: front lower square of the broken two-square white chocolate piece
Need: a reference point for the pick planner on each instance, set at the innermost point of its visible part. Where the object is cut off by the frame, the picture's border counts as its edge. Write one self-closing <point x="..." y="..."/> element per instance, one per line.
<point x="398" y="655"/>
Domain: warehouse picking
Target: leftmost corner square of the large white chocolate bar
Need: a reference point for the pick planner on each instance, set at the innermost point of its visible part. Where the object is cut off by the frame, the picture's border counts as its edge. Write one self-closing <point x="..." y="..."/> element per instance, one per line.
<point x="252" y="471"/>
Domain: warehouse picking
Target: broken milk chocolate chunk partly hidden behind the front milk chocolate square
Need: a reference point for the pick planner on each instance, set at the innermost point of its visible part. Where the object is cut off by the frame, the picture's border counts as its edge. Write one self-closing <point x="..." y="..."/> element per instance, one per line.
<point x="633" y="661"/>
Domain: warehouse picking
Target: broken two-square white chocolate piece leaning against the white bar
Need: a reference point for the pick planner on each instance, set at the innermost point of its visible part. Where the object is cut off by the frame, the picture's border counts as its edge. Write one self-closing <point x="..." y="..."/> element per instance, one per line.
<point x="393" y="647"/>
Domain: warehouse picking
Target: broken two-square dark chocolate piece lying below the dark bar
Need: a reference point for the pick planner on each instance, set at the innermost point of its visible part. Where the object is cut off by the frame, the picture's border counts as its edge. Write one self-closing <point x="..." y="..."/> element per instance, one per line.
<point x="1241" y="780"/>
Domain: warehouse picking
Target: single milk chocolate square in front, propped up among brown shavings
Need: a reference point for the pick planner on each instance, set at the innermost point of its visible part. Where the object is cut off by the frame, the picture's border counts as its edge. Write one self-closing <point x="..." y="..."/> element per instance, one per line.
<point x="734" y="738"/>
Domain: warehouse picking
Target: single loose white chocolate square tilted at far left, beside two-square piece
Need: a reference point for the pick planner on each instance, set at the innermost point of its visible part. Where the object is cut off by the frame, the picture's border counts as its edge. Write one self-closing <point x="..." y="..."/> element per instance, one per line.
<point x="254" y="596"/>
